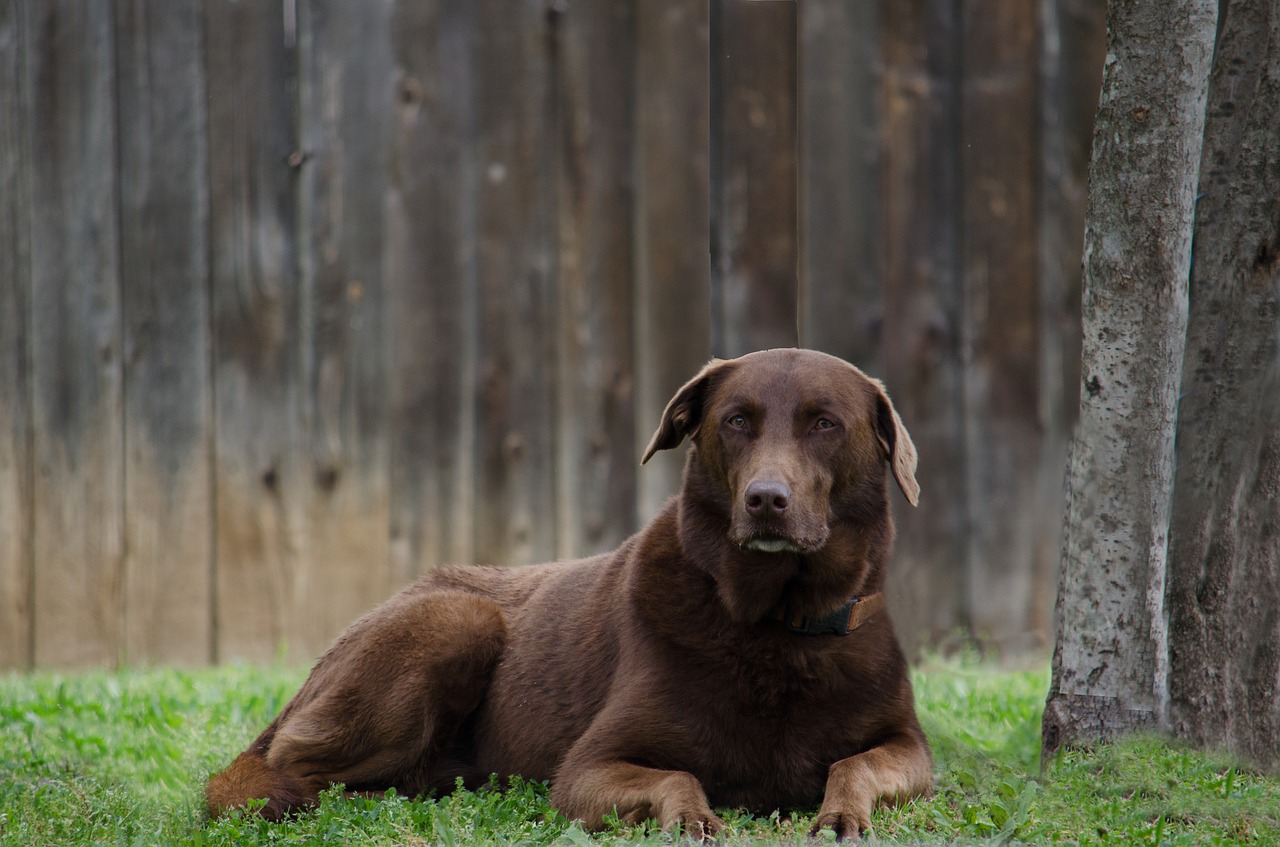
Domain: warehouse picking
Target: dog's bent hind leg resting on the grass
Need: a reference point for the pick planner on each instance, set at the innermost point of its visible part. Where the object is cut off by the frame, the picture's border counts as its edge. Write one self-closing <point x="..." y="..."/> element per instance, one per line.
<point x="378" y="707"/>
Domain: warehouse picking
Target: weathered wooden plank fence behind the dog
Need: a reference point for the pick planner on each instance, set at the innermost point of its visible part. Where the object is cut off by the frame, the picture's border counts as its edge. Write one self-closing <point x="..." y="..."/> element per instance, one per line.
<point x="303" y="299"/>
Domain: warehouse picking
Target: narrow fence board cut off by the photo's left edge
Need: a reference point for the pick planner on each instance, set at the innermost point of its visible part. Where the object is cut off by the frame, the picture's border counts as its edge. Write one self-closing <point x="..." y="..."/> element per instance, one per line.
<point x="16" y="468"/>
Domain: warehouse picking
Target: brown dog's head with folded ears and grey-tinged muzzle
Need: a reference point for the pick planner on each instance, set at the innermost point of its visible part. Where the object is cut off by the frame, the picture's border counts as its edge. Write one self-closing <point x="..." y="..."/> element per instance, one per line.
<point x="788" y="445"/>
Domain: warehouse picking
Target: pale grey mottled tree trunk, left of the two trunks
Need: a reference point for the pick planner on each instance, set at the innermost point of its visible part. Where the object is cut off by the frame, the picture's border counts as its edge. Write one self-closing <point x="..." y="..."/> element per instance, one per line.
<point x="1112" y="656"/>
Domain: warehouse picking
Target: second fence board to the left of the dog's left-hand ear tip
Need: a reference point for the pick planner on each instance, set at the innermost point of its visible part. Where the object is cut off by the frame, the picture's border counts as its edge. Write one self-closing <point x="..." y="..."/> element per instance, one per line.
<point x="515" y="507"/>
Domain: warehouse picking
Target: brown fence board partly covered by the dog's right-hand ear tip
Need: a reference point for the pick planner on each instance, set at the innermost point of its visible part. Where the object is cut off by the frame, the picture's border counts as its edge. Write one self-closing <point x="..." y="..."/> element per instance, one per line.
<point x="922" y="312"/>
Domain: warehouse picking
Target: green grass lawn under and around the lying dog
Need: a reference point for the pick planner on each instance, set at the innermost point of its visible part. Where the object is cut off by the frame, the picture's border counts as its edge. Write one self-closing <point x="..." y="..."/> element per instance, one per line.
<point x="121" y="759"/>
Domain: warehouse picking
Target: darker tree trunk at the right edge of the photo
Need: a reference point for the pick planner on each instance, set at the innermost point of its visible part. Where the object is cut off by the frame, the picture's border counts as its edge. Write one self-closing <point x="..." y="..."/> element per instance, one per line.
<point x="1224" y="548"/>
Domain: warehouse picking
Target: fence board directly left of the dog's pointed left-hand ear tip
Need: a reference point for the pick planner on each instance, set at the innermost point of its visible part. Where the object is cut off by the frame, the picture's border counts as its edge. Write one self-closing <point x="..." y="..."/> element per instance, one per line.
<point x="593" y="63"/>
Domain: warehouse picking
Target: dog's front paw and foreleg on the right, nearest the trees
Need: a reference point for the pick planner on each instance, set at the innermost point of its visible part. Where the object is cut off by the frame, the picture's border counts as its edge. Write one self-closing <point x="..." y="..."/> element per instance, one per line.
<point x="894" y="772"/>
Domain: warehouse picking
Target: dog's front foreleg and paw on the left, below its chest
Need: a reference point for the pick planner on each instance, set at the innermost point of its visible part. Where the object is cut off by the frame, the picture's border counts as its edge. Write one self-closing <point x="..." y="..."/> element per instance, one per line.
<point x="636" y="794"/>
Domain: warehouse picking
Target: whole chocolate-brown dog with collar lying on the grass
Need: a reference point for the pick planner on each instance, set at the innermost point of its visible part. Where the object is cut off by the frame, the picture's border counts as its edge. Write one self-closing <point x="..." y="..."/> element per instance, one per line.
<point x="734" y="653"/>
